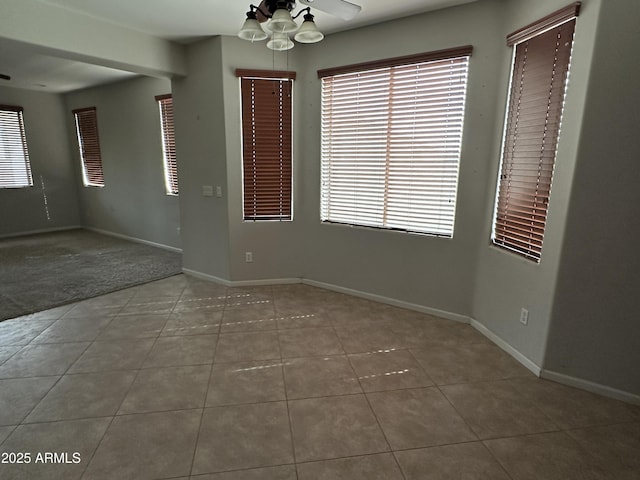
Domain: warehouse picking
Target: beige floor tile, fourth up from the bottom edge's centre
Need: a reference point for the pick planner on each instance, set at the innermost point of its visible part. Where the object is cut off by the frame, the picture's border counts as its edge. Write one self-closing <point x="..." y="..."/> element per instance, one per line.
<point x="307" y="342"/>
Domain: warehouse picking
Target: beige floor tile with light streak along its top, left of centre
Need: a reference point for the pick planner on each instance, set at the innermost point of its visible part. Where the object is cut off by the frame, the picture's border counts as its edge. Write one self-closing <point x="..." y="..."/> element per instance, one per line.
<point x="238" y="383"/>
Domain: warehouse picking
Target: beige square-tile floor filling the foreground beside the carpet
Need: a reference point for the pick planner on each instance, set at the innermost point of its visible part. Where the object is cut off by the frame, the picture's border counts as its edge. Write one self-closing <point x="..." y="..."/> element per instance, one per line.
<point x="186" y="379"/>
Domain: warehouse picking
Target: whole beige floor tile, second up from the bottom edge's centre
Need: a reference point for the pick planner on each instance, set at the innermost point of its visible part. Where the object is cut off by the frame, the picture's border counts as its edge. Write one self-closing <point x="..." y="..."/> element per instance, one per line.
<point x="332" y="427"/>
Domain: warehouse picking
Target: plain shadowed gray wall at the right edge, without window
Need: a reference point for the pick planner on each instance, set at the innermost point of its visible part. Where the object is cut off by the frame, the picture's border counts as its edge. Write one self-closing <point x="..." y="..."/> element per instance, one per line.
<point x="595" y="328"/>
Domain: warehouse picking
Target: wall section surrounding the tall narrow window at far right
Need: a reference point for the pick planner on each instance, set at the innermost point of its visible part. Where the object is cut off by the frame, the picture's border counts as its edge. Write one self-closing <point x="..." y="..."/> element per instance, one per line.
<point x="506" y="282"/>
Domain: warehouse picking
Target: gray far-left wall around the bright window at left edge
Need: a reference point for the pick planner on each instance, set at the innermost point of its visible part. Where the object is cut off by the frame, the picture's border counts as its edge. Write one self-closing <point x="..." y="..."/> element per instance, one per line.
<point x="23" y="210"/>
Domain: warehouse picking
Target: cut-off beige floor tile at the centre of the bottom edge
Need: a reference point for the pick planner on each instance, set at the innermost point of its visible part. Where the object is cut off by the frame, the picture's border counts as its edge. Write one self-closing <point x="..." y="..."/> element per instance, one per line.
<point x="369" y="467"/>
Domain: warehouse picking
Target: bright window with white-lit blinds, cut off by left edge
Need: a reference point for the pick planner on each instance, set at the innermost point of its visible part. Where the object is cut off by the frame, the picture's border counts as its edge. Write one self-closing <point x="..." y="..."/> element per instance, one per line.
<point x="15" y="170"/>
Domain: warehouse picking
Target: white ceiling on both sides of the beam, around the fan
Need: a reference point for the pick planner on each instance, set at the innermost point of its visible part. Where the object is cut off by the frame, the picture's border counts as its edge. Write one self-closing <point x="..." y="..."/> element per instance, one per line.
<point x="181" y="21"/>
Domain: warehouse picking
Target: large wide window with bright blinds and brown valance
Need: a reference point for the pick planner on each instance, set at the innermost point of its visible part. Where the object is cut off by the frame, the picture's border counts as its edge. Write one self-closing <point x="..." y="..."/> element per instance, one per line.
<point x="391" y="139"/>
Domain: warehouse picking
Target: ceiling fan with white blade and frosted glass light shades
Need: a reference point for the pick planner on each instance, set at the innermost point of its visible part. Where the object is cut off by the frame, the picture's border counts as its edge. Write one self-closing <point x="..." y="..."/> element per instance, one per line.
<point x="281" y="22"/>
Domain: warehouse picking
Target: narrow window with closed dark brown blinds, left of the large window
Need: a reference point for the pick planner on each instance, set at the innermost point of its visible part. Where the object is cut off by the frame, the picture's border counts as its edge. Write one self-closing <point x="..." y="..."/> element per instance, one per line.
<point x="266" y="144"/>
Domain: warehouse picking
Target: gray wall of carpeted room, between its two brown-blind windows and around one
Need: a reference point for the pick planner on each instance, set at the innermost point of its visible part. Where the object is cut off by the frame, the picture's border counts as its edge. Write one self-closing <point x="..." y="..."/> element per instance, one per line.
<point x="133" y="201"/>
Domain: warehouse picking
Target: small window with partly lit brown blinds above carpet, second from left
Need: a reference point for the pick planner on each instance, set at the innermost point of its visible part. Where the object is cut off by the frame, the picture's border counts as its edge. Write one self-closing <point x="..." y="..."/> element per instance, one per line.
<point x="89" y="143"/>
